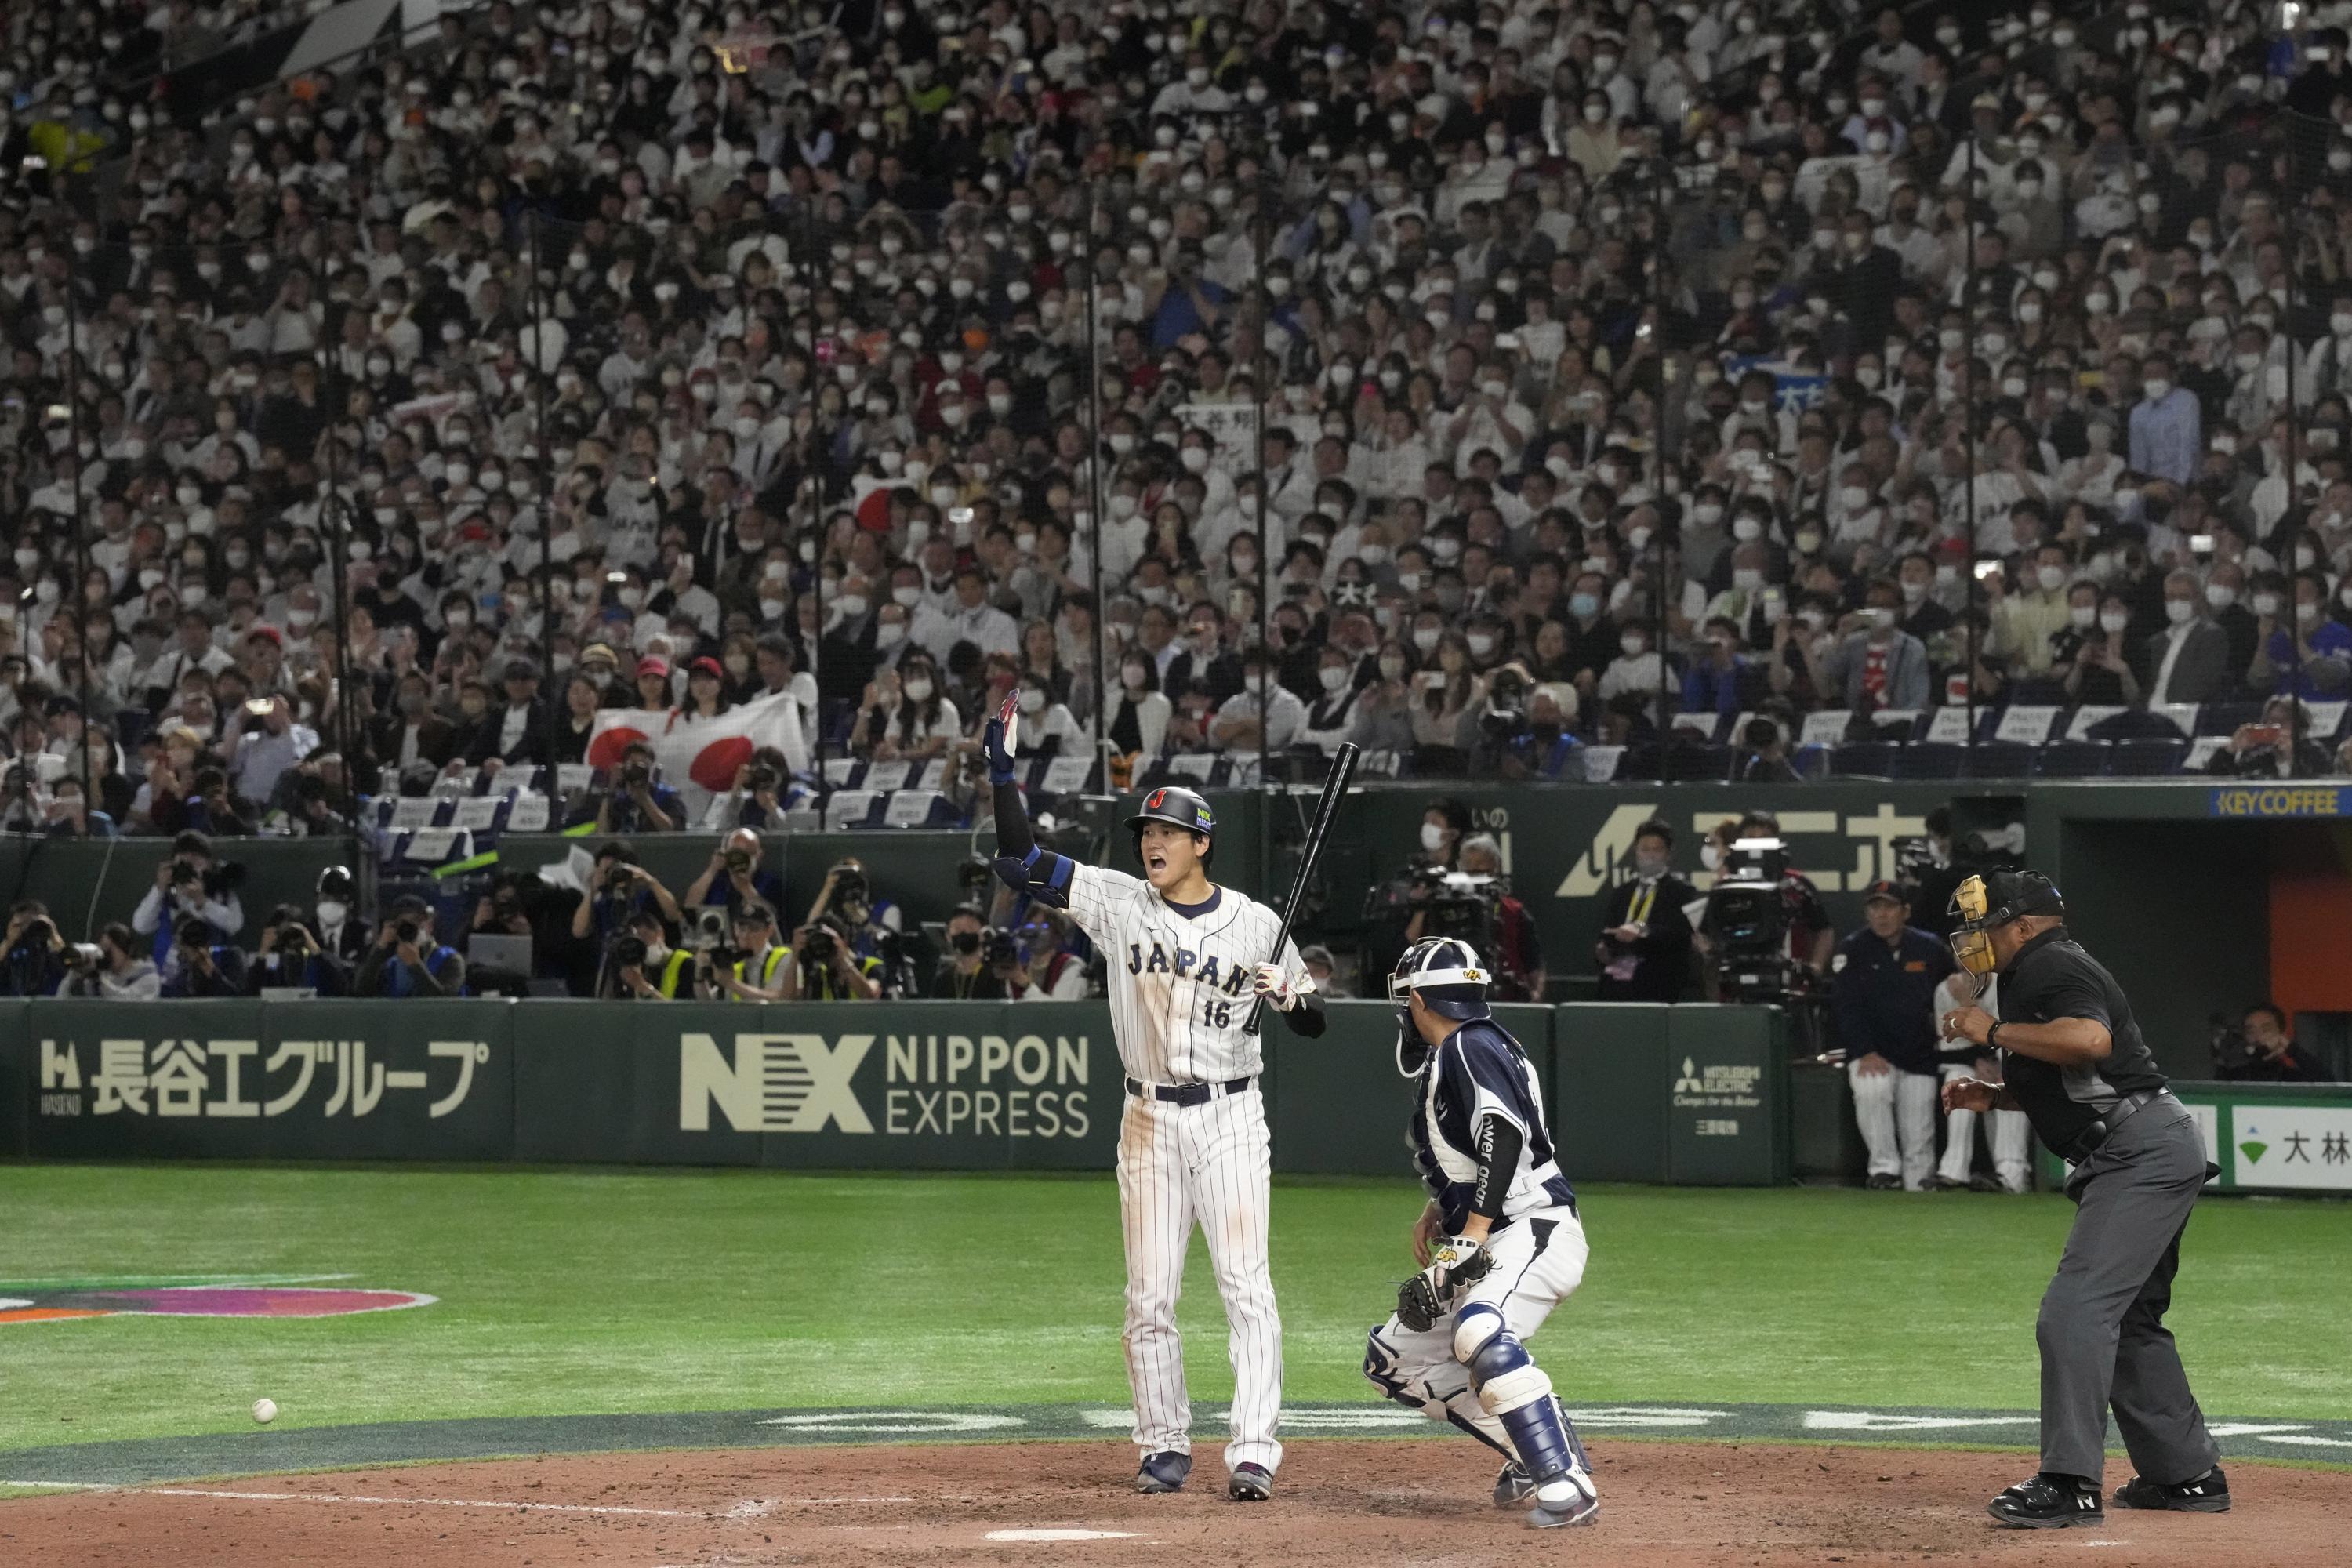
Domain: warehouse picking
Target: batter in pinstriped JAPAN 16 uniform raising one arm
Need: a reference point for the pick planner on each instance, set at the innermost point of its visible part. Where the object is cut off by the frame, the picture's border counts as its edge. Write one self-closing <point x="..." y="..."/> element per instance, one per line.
<point x="1187" y="958"/>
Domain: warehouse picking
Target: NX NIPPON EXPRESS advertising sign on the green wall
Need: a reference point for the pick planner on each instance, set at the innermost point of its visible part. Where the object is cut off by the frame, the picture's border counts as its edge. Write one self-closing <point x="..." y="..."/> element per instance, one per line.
<point x="1020" y="1087"/>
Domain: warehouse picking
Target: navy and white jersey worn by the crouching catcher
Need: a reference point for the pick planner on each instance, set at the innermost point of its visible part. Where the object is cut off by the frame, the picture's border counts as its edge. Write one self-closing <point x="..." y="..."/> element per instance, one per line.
<point x="1481" y="1073"/>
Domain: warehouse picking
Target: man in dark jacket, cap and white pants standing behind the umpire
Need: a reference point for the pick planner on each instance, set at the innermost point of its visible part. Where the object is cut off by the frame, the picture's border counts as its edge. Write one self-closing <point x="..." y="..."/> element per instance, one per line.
<point x="1883" y="996"/>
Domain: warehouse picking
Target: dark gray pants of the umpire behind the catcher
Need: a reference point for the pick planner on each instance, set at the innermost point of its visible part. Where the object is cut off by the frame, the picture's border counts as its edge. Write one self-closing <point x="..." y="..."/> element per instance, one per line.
<point x="2102" y="1329"/>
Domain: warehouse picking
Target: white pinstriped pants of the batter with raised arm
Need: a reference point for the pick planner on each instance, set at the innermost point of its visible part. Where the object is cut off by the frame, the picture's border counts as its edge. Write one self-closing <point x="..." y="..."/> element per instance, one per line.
<point x="1182" y="1167"/>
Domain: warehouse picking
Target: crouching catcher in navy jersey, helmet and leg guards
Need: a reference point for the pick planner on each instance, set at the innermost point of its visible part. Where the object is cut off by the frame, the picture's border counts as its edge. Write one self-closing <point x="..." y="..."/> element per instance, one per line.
<point x="1499" y="1240"/>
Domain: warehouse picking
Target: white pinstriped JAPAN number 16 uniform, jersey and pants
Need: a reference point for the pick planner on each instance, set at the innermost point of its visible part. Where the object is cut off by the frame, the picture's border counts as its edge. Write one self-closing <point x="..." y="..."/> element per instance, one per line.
<point x="1180" y="991"/>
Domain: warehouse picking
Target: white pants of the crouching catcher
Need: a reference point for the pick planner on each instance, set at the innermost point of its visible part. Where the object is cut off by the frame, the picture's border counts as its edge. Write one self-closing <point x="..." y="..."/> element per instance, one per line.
<point x="1537" y="1264"/>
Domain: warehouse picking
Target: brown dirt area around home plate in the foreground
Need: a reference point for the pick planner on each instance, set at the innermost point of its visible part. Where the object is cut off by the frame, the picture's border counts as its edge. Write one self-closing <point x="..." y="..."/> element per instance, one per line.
<point x="1335" y="1503"/>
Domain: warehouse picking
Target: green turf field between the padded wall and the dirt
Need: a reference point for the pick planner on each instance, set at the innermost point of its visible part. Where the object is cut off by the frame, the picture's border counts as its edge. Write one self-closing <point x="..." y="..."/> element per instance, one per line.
<point x="582" y="1292"/>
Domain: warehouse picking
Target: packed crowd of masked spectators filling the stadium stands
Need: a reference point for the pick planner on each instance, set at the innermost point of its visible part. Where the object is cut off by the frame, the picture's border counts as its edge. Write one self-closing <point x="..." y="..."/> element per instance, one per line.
<point x="1633" y="377"/>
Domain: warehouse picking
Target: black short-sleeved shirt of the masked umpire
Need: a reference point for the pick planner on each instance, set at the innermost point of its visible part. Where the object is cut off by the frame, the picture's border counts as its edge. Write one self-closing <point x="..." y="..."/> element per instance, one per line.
<point x="2054" y="979"/>
